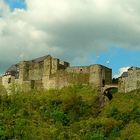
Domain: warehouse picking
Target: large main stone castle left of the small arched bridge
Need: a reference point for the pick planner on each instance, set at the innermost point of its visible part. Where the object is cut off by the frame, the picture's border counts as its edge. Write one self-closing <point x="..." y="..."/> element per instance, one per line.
<point x="51" y="73"/>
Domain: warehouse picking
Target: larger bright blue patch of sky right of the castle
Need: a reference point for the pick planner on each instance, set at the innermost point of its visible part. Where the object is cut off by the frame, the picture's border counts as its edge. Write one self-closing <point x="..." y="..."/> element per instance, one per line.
<point x="120" y="57"/>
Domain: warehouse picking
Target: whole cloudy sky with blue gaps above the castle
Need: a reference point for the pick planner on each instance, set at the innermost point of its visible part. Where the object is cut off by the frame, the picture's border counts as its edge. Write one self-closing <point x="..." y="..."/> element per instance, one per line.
<point x="82" y="32"/>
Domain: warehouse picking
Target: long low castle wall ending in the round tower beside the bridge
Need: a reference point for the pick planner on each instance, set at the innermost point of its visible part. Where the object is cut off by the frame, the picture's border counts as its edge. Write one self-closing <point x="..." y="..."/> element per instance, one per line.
<point x="93" y="75"/>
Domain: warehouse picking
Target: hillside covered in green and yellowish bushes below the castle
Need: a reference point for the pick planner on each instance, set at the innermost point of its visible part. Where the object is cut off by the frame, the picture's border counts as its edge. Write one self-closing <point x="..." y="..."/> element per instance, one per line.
<point x="73" y="113"/>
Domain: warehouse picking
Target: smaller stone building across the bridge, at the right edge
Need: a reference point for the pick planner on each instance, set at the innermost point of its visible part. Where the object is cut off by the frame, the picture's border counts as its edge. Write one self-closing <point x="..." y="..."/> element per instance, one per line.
<point x="129" y="80"/>
